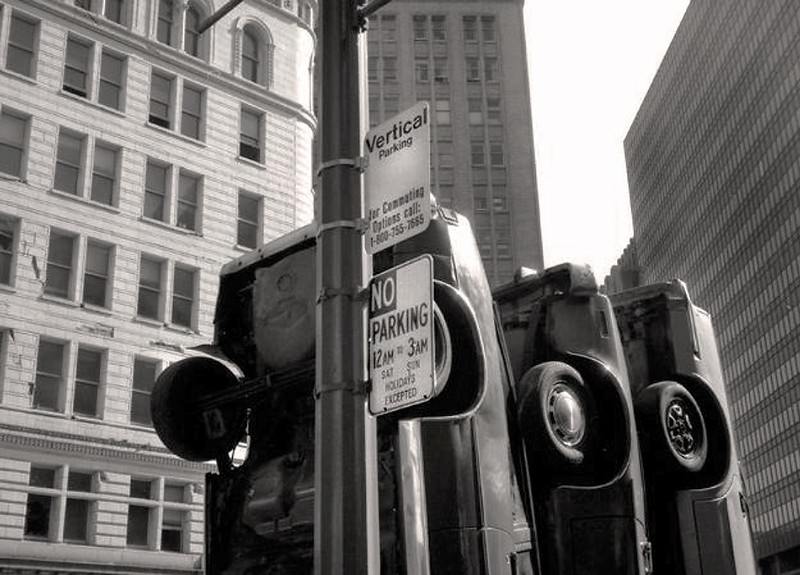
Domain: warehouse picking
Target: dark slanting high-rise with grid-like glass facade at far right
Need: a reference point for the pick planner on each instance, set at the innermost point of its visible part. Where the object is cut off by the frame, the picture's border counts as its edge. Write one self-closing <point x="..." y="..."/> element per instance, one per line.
<point x="714" y="172"/>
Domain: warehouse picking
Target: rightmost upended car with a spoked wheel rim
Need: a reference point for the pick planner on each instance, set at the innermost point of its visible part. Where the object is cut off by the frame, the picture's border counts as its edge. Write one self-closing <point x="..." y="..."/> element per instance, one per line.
<point x="696" y="507"/>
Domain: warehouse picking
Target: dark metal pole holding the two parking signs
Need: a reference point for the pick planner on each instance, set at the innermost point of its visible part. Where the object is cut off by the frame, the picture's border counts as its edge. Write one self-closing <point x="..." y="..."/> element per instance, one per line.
<point x="345" y="523"/>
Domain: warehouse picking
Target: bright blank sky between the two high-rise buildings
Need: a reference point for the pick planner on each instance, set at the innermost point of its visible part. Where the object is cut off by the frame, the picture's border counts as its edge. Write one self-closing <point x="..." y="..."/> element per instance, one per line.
<point x="590" y="65"/>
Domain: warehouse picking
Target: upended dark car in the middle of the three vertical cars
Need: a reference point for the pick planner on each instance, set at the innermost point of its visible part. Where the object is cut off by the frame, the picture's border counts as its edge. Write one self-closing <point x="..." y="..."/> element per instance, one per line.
<point x="575" y="412"/>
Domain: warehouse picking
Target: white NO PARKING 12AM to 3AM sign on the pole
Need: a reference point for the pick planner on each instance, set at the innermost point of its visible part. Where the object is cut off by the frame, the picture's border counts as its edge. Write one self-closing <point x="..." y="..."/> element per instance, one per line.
<point x="401" y="354"/>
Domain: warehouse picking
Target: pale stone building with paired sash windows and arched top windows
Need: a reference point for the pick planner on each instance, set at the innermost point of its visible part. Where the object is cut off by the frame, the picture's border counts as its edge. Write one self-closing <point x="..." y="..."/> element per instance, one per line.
<point x="136" y="157"/>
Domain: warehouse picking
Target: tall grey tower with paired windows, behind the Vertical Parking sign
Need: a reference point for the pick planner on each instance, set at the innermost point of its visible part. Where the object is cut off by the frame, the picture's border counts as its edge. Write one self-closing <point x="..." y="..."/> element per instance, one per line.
<point x="468" y="60"/>
